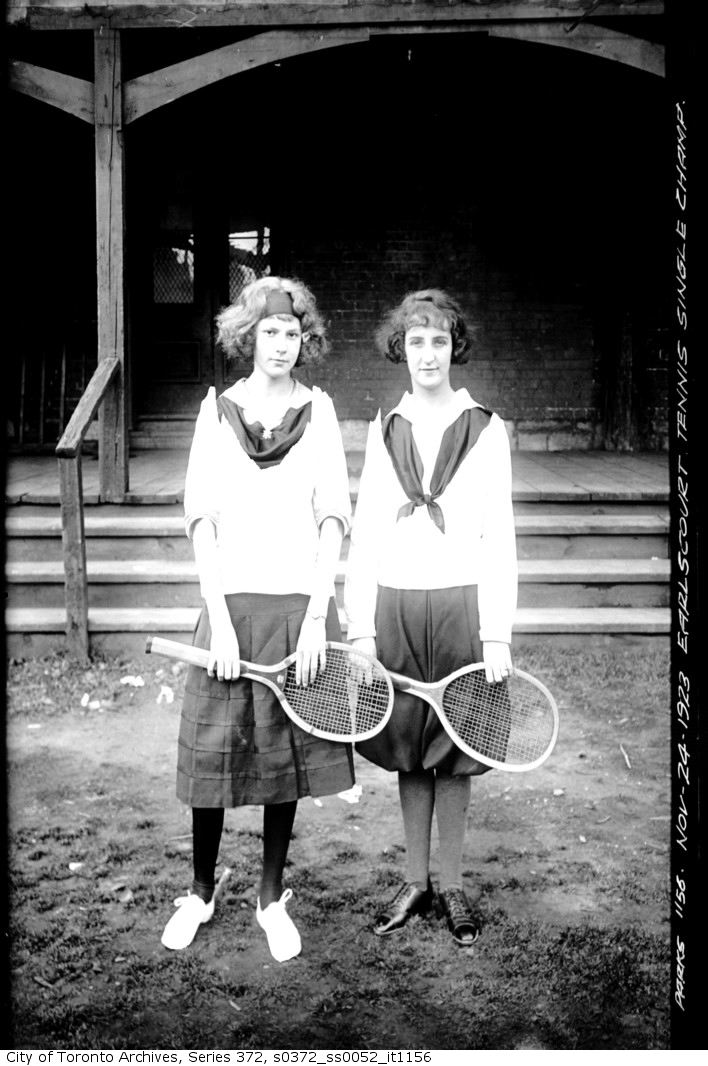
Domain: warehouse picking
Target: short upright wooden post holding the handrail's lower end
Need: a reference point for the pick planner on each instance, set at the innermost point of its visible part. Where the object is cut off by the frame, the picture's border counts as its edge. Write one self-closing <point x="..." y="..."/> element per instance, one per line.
<point x="75" y="557"/>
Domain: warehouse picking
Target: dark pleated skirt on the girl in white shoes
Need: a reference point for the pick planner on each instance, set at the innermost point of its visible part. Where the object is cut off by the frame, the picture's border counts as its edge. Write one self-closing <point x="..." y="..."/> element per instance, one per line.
<point x="237" y="746"/>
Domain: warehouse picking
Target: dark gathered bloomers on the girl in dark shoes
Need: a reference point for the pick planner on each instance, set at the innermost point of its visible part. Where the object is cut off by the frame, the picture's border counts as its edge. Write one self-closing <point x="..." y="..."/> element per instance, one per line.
<point x="425" y="635"/>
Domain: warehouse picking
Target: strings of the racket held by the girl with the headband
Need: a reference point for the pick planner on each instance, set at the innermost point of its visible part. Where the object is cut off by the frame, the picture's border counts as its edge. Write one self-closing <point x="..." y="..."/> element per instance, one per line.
<point x="350" y="698"/>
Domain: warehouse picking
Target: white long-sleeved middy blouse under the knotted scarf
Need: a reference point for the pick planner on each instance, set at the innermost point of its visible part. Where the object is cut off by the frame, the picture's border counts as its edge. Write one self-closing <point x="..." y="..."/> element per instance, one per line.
<point x="478" y="547"/>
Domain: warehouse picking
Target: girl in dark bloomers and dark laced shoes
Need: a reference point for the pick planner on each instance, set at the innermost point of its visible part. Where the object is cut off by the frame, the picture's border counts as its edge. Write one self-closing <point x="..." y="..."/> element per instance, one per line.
<point x="431" y="586"/>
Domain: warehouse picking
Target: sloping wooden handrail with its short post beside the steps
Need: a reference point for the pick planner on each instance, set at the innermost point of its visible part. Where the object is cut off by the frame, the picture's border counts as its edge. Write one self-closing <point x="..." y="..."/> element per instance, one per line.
<point x="71" y="487"/>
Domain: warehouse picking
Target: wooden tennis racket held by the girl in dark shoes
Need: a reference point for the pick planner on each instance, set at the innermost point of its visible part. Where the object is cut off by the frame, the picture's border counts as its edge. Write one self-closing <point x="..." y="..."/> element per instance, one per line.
<point x="510" y="725"/>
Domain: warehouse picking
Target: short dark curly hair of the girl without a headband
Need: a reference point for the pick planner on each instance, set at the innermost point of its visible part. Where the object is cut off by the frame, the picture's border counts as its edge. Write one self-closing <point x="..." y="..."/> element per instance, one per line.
<point x="427" y="308"/>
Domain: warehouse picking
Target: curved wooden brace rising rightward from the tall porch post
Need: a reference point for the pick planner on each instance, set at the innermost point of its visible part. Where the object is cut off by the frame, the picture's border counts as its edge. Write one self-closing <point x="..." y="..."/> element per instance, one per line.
<point x="159" y="88"/>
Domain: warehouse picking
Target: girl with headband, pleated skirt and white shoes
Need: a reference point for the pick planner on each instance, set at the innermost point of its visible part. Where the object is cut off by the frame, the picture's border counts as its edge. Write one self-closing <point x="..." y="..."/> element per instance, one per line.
<point x="267" y="505"/>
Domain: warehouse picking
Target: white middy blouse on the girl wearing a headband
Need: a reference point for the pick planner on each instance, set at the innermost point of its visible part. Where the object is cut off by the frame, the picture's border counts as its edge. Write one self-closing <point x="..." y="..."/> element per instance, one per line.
<point x="267" y="520"/>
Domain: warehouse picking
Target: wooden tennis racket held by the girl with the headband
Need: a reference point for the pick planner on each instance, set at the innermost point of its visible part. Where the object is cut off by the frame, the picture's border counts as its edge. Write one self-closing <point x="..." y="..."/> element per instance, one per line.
<point x="350" y="701"/>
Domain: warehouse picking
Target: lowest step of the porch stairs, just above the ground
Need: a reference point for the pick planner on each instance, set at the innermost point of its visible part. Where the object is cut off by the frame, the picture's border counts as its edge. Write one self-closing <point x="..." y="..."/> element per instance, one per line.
<point x="35" y="632"/>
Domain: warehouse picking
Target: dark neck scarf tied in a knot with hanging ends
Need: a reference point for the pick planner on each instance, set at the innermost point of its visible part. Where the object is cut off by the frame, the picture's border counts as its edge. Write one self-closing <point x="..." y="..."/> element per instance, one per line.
<point x="458" y="441"/>
